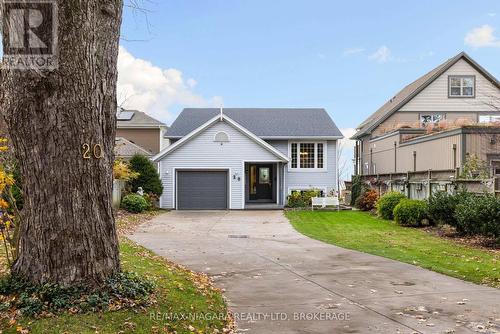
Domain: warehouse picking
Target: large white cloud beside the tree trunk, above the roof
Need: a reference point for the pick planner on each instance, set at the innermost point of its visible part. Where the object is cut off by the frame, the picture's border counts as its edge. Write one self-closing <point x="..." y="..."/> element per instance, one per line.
<point x="149" y="88"/>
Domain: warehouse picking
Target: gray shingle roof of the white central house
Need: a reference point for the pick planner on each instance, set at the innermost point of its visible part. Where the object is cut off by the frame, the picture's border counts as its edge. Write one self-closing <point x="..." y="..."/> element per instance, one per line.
<point x="263" y="122"/>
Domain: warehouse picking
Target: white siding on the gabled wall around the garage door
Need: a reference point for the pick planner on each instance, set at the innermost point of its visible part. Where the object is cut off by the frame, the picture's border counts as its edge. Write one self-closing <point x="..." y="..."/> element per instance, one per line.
<point x="202" y="152"/>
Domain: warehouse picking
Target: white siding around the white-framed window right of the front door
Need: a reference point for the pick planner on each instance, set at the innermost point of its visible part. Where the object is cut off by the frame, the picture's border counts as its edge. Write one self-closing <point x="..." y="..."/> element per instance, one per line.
<point x="324" y="179"/>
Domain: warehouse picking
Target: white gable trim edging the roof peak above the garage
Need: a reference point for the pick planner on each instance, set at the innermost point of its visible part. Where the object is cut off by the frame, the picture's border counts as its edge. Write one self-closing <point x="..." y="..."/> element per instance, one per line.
<point x="210" y="122"/>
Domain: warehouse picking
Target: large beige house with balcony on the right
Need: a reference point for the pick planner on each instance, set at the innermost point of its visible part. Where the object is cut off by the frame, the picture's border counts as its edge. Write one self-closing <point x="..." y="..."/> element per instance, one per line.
<point x="433" y="123"/>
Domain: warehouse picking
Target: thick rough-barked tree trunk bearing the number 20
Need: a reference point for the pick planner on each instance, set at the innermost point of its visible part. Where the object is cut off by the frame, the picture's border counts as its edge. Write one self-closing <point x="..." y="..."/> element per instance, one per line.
<point x="68" y="233"/>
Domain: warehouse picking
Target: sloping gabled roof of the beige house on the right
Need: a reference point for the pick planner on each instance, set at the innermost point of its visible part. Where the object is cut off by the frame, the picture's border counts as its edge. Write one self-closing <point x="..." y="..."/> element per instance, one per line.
<point x="410" y="91"/>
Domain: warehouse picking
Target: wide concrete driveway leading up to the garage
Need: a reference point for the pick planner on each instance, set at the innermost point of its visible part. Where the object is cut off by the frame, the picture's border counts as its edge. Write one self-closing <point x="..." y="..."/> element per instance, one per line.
<point x="279" y="281"/>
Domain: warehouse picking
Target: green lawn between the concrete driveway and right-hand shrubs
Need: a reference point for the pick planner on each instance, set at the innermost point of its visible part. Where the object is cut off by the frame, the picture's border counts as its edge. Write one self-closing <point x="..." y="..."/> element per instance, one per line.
<point x="366" y="233"/>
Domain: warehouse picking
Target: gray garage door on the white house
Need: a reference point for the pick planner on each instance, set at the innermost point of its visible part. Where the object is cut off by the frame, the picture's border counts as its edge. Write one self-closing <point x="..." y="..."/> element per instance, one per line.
<point x="201" y="190"/>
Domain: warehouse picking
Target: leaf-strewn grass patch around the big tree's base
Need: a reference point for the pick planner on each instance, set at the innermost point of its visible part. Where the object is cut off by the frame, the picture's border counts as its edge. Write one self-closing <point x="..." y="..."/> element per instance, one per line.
<point x="180" y="293"/>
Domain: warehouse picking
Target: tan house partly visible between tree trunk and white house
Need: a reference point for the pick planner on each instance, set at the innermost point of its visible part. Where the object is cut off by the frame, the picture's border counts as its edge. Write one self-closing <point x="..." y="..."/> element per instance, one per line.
<point x="142" y="130"/>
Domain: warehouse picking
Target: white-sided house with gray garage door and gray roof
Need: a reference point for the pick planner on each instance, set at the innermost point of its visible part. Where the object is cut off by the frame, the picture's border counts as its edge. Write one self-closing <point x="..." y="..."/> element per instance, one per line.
<point x="243" y="158"/>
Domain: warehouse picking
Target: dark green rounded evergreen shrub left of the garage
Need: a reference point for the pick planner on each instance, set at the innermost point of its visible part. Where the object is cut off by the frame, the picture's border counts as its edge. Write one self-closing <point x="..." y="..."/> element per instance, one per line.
<point x="148" y="177"/>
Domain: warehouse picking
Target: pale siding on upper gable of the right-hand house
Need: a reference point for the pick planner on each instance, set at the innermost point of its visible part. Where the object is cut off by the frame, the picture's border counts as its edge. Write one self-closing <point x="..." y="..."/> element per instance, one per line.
<point x="435" y="96"/>
